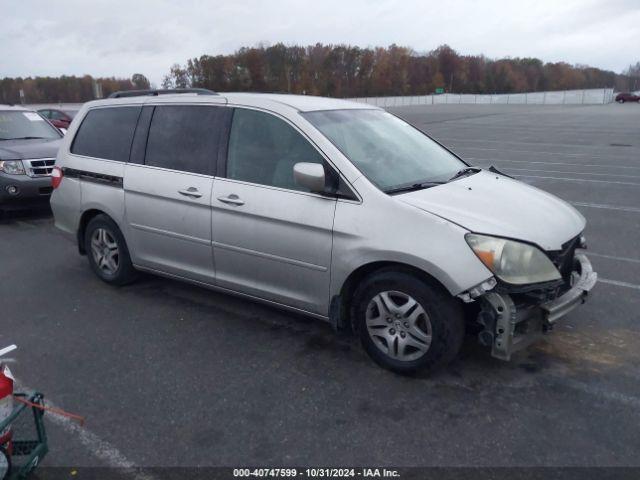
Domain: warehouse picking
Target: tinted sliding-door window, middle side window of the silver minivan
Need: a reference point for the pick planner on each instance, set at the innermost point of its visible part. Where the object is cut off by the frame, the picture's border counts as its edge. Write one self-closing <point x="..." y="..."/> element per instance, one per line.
<point x="185" y="138"/>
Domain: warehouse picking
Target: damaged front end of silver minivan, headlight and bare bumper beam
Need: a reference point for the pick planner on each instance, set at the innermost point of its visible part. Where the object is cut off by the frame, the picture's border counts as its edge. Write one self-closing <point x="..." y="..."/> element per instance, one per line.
<point x="530" y="291"/>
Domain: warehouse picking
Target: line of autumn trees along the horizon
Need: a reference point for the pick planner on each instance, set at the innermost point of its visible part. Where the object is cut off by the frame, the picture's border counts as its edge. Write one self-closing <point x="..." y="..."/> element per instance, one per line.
<point x="338" y="71"/>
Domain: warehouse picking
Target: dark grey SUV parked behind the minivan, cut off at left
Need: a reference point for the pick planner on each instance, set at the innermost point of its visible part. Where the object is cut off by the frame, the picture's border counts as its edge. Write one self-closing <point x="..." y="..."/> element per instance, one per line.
<point x="28" y="147"/>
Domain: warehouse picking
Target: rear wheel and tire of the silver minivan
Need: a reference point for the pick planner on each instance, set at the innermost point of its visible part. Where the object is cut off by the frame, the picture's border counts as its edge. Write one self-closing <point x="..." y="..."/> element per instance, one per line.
<point x="107" y="251"/>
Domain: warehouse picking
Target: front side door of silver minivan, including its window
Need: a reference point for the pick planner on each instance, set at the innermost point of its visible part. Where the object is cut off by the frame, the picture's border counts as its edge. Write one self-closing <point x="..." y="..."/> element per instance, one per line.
<point x="271" y="238"/>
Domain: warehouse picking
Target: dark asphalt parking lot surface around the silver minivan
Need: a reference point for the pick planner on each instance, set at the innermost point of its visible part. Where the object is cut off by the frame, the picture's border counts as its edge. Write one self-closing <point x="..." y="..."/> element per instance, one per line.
<point x="170" y="374"/>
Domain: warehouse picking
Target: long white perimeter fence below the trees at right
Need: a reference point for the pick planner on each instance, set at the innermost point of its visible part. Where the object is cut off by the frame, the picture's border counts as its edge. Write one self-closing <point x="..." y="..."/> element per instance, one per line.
<point x="567" y="97"/>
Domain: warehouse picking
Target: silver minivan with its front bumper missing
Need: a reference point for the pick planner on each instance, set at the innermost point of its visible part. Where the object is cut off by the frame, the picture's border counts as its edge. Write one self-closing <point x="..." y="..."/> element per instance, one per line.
<point x="330" y="208"/>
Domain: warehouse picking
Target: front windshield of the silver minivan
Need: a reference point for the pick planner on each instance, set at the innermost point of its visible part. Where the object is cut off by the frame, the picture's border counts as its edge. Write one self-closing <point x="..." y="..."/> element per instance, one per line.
<point x="388" y="151"/>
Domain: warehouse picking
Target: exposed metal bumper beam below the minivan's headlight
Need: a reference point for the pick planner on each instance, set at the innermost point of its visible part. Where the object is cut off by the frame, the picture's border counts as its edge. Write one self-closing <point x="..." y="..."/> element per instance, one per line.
<point x="509" y="328"/>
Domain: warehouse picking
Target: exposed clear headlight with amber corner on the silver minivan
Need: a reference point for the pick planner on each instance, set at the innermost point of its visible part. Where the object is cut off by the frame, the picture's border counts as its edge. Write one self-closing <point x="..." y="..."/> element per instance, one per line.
<point x="513" y="262"/>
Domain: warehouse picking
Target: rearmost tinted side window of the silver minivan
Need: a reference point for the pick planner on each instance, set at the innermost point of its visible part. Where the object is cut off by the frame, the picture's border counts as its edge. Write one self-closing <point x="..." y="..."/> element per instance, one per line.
<point x="107" y="133"/>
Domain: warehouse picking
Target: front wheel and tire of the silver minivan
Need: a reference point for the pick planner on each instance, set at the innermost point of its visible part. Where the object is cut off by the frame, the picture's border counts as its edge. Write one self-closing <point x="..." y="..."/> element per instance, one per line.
<point x="407" y="324"/>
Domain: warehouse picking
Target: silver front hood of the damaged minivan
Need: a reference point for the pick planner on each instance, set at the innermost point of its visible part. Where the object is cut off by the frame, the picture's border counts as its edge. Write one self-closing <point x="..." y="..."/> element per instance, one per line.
<point x="497" y="205"/>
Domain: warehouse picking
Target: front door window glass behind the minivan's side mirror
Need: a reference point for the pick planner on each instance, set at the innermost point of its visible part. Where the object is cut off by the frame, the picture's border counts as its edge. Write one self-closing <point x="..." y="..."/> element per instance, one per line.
<point x="263" y="149"/>
